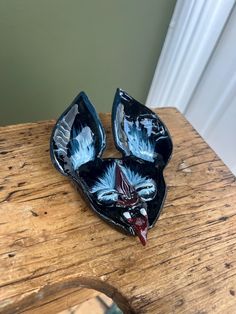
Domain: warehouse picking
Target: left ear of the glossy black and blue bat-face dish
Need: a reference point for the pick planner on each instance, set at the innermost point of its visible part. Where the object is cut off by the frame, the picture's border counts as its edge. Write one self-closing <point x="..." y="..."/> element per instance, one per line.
<point x="79" y="118"/>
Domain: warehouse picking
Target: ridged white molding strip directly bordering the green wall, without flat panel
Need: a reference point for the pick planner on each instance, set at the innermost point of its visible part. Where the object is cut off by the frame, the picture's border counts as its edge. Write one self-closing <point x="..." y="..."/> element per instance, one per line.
<point x="194" y="31"/>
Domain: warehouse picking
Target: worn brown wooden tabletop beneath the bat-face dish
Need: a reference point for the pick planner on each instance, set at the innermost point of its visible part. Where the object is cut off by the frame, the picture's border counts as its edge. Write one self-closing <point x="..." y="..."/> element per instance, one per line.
<point x="51" y="243"/>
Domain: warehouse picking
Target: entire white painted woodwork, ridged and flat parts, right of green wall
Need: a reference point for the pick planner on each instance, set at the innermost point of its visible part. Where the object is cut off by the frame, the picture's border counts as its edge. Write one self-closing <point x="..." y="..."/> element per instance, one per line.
<point x="196" y="72"/>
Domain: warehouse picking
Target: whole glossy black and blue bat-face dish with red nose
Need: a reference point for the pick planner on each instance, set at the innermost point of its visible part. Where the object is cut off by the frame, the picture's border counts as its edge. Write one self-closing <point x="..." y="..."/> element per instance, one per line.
<point x="127" y="192"/>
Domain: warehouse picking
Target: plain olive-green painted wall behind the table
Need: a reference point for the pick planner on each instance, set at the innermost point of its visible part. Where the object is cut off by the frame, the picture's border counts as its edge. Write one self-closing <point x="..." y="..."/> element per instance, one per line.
<point x="52" y="49"/>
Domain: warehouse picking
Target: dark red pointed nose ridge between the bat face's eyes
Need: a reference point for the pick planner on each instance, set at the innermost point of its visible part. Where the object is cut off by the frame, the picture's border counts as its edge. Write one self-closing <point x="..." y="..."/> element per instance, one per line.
<point x="127" y="193"/>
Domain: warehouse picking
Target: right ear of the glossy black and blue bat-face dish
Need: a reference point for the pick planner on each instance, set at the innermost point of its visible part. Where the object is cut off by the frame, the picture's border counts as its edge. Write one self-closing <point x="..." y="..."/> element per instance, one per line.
<point x="139" y="131"/>
